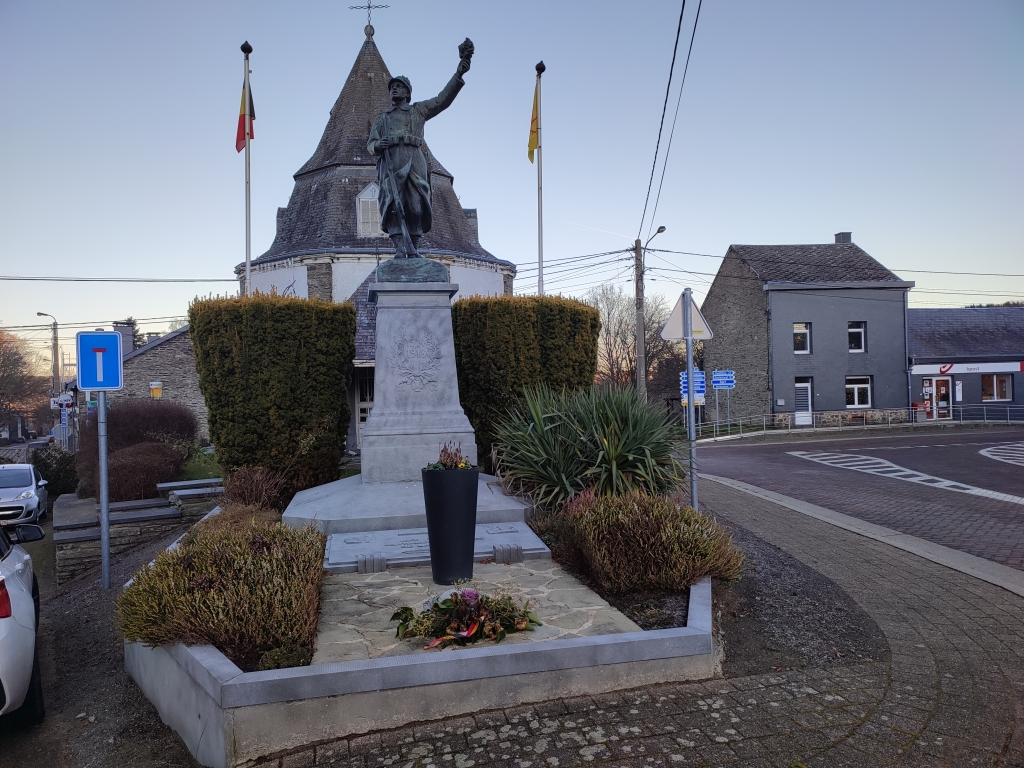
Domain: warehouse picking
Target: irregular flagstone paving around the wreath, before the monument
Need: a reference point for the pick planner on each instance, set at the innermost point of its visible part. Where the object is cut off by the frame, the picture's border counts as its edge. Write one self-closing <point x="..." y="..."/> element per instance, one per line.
<point x="356" y="609"/>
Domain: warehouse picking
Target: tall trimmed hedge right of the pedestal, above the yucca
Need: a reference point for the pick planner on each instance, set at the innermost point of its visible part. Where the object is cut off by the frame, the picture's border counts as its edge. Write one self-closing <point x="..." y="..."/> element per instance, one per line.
<point x="504" y="344"/>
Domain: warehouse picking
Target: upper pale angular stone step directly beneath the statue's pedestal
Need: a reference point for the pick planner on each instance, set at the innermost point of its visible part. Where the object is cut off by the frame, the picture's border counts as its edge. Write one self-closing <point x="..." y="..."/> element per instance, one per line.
<point x="351" y="506"/>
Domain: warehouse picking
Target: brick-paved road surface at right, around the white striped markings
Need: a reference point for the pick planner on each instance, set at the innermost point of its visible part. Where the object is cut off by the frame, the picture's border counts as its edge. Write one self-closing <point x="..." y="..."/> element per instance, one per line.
<point x="986" y="528"/>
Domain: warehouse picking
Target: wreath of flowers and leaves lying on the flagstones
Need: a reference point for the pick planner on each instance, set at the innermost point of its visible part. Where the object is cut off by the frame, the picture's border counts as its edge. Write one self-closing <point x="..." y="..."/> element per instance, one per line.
<point x="465" y="617"/>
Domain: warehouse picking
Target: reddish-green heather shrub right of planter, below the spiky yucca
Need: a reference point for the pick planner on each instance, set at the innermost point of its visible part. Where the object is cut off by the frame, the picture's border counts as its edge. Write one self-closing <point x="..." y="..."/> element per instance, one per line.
<point x="638" y="542"/>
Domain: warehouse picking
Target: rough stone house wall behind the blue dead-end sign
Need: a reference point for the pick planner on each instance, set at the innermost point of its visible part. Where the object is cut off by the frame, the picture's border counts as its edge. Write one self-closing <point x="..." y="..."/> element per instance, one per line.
<point x="173" y="361"/>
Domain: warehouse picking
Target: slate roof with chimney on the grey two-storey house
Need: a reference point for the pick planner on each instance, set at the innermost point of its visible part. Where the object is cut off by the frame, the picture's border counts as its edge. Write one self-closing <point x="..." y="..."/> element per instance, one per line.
<point x="830" y="263"/>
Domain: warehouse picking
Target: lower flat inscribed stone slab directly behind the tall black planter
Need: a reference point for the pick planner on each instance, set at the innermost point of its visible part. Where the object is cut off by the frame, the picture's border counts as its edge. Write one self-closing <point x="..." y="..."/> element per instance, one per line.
<point x="375" y="551"/>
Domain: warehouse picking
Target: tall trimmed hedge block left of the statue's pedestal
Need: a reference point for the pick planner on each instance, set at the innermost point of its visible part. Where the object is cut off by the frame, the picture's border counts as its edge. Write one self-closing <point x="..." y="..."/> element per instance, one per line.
<point x="275" y="372"/>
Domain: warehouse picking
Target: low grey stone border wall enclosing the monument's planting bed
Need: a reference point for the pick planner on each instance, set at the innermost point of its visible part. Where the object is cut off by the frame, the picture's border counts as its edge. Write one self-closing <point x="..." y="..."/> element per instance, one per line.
<point x="232" y="719"/>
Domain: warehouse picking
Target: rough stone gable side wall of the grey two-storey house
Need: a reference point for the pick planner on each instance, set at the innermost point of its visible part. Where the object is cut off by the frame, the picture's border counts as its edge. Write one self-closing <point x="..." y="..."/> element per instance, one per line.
<point x="737" y="310"/>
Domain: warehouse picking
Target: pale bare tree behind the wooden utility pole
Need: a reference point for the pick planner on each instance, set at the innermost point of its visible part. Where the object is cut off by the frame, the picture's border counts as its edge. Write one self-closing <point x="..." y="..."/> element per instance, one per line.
<point x="617" y="350"/>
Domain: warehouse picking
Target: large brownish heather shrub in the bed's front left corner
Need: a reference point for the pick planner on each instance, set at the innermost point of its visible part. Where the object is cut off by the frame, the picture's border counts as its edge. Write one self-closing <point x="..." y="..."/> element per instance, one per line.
<point x="254" y="594"/>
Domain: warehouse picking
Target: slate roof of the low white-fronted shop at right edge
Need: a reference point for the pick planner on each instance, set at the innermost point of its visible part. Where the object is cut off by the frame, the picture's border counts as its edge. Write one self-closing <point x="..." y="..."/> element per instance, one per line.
<point x="948" y="335"/>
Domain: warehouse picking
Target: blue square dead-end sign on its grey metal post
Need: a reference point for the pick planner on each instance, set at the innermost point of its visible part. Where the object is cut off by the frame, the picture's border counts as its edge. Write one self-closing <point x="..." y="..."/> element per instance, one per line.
<point x="101" y="370"/>
